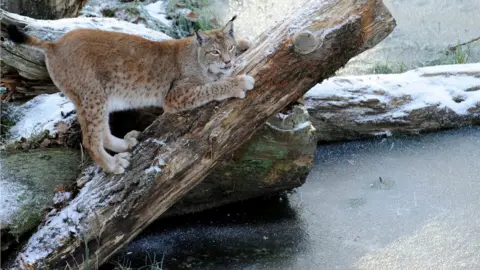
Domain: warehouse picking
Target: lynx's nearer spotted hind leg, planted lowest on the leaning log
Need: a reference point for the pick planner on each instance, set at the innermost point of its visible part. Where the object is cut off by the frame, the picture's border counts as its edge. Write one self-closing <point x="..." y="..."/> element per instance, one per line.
<point x="93" y="132"/>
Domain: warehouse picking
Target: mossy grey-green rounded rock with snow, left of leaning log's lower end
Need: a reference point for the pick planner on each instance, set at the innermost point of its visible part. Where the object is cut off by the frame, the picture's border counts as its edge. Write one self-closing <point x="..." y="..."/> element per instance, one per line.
<point x="27" y="187"/>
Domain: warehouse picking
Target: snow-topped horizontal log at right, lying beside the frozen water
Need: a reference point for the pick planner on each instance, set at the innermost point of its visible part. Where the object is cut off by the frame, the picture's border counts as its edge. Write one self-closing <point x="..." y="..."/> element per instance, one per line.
<point x="420" y="100"/>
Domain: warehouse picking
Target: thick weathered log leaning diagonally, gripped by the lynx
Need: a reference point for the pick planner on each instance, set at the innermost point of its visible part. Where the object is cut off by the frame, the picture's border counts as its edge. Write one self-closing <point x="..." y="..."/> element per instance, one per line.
<point x="178" y="151"/>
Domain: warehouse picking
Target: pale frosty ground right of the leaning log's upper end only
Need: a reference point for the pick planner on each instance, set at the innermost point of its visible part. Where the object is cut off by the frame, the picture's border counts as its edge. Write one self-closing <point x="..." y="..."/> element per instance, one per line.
<point x="425" y="29"/>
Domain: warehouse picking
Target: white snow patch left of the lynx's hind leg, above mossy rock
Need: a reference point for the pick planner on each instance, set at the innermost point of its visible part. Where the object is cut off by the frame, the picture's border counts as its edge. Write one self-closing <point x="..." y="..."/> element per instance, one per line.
<point x="41" y="113"/>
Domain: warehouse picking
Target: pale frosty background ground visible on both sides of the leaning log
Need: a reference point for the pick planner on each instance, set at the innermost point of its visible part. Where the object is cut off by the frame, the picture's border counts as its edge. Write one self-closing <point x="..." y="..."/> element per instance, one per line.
<point x="425" y="29"/>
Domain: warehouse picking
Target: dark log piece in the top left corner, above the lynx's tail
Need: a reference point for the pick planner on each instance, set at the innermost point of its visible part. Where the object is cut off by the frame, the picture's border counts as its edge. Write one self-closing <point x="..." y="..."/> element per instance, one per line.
<point x="44" y="9"/>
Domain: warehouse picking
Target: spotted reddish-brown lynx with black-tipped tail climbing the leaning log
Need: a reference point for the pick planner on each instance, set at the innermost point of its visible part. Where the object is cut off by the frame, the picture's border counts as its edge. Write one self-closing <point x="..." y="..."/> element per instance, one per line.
<point x="102" y="72"/>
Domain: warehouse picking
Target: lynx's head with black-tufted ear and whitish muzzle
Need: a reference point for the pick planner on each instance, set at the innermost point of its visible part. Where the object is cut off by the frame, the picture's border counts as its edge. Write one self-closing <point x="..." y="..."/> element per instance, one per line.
<point x="217" y="49"/>
